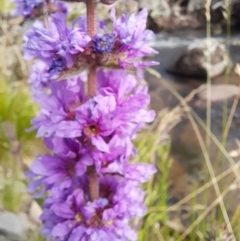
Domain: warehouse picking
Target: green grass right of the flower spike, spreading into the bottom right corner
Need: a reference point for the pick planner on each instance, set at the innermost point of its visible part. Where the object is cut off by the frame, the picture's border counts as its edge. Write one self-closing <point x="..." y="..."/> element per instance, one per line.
<point x="157" y="224"/>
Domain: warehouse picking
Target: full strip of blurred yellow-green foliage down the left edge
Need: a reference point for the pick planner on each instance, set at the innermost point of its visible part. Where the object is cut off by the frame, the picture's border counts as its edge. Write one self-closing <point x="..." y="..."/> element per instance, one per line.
<point x="16" y="111"/>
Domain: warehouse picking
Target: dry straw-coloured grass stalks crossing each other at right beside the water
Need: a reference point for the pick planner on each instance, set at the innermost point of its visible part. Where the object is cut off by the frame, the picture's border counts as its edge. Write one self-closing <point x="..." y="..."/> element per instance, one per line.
<point x="191" y="232"/>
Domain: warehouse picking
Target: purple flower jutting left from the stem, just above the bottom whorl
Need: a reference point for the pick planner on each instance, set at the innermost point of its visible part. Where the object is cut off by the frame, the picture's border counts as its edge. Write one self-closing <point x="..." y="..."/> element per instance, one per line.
<point x="61" y="169"/>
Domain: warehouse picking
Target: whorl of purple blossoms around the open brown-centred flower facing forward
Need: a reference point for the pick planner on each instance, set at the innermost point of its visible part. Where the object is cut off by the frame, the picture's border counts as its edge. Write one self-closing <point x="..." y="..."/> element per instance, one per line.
<point x="120" y="109"/>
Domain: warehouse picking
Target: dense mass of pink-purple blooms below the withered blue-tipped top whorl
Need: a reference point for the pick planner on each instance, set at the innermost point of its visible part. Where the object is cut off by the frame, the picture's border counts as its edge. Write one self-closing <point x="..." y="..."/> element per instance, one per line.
<point x="83" y="132"/>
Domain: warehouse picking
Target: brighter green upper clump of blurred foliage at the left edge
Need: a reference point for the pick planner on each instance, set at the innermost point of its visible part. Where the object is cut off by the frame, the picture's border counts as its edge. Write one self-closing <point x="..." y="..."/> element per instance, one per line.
<point x="16" y="111"/>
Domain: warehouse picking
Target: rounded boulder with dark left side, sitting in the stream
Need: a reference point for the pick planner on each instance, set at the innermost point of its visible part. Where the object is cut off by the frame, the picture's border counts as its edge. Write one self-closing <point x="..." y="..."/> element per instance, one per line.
<point x="193" y="62"/>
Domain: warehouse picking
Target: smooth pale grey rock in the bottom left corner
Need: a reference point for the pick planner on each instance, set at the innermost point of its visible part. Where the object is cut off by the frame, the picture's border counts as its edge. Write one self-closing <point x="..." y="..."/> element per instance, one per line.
<point x="12" y="227"/>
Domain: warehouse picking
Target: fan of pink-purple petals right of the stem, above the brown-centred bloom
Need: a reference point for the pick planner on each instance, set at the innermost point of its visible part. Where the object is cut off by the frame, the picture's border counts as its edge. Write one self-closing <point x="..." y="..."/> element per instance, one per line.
<point x="131" y="99"/>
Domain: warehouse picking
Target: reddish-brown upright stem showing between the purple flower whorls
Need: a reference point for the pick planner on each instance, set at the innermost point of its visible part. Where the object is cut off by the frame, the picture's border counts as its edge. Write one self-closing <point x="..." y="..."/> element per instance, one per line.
<point x="91" y="29"/>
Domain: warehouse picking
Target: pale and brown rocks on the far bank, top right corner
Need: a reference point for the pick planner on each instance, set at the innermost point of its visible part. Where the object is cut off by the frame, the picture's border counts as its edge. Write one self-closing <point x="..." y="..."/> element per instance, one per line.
<point x="173" y="14"/>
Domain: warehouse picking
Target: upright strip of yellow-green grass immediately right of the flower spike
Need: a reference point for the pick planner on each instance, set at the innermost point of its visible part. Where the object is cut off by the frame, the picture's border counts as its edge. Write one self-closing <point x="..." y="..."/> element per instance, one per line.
<point x="152" y="151"/>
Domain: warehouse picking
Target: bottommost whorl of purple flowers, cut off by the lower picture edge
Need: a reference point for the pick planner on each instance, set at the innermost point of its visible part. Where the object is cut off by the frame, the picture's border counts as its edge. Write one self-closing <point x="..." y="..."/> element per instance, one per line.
<point x="107" y="218"/>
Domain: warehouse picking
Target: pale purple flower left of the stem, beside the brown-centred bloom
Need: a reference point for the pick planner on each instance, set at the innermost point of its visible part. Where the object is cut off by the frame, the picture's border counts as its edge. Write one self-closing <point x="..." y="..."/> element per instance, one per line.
<point x="59" y="109"/>
